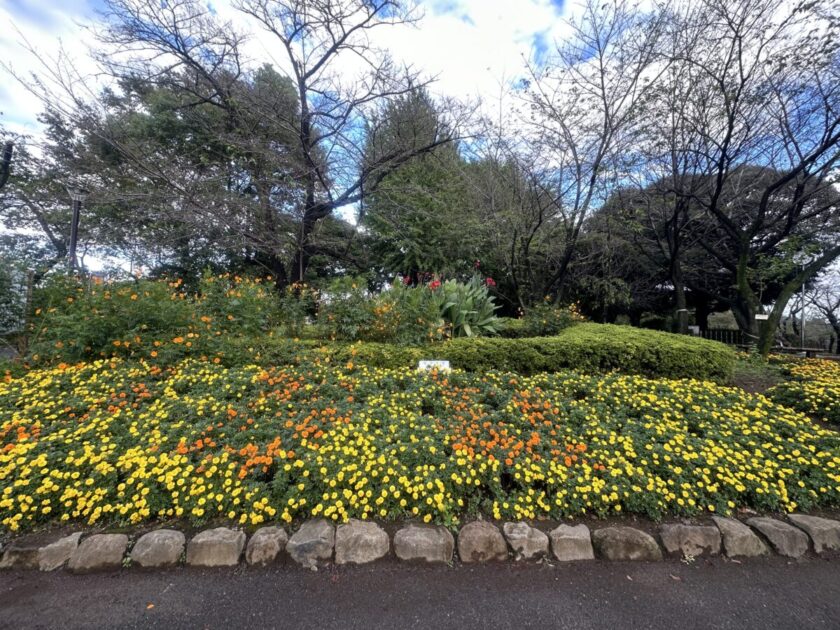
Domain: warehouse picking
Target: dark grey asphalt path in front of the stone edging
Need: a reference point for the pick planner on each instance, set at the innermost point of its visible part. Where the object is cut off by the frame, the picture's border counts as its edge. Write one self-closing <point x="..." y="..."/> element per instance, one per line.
<point x="771" y="593"/>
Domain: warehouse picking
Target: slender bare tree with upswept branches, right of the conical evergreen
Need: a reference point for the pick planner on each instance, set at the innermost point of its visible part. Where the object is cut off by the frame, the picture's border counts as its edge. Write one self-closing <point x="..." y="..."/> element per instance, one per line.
<point x="583" y="109"/>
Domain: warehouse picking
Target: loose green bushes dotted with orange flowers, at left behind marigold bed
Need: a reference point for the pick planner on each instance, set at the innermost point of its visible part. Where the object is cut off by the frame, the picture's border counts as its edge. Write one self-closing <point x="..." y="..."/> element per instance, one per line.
<point x="78" y="320"/>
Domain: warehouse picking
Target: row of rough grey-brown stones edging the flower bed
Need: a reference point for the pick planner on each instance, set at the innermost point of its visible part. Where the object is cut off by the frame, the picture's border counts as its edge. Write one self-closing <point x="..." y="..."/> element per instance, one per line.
<point x="318" y="542"/>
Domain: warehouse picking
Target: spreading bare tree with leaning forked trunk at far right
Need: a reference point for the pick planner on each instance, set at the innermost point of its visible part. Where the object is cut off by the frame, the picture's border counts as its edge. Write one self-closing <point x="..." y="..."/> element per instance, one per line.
<point x="765" y="132"/>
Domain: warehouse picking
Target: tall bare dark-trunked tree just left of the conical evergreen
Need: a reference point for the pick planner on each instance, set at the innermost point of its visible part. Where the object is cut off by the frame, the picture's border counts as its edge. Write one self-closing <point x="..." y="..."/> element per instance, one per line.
<point x="337" y="112"/>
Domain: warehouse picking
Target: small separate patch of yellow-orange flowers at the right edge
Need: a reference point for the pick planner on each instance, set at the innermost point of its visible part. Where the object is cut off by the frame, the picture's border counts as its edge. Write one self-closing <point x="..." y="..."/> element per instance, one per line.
<point x="814" y="387"/>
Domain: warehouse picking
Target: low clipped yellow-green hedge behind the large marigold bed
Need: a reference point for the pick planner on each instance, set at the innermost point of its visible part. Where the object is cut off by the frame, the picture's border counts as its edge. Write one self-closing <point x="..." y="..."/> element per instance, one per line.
<point x="588" y="348"/>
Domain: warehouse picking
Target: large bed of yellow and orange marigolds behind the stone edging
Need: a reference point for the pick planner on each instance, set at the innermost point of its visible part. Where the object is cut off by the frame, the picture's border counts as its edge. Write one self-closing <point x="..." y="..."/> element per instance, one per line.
<point x="119" y="442"/>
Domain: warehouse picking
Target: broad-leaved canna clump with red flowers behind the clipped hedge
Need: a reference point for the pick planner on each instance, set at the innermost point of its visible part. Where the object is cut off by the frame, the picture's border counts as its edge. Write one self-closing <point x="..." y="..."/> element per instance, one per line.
<point x="468" y="309"/>
